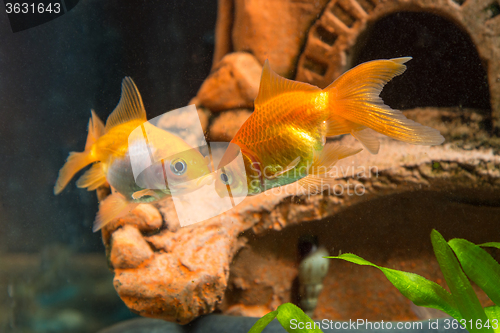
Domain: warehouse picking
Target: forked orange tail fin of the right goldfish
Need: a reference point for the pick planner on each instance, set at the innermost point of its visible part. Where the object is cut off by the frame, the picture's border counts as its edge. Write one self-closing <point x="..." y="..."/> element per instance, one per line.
<point x="355" y="104"/>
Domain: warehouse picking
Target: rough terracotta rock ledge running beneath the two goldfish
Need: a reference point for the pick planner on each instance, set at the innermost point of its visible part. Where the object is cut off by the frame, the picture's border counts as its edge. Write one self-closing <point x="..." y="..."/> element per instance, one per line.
<point x="164" y="271"/>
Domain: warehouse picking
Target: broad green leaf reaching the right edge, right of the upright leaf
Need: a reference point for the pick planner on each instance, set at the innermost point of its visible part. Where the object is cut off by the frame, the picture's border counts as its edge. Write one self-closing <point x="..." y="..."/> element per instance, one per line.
<point x="479" y="266"/>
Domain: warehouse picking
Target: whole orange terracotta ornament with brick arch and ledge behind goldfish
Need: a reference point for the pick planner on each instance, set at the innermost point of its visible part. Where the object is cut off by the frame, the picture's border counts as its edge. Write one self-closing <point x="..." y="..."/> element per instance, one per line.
<point x="243" y="262"/>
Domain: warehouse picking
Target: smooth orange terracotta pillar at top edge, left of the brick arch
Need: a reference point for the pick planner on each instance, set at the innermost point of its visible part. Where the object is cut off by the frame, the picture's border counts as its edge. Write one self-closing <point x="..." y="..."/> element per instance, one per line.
<point x="257" y="24"/>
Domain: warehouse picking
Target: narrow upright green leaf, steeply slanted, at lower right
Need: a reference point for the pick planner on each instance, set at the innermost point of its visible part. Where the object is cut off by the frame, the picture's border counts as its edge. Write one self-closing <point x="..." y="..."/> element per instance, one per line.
<point x="460" y="287"/>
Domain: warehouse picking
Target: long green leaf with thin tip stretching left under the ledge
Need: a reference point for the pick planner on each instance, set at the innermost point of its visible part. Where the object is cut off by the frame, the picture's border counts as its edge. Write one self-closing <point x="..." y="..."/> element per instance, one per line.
<point x="416" y="288"/>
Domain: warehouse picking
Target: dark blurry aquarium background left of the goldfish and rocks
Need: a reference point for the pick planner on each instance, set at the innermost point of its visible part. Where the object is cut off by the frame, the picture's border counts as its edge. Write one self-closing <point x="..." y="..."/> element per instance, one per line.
<point x="53" y="275"/>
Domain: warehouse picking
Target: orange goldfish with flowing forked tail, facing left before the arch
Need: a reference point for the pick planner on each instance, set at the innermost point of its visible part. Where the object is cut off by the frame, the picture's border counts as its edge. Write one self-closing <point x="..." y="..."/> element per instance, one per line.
<point x="284" y="140"/>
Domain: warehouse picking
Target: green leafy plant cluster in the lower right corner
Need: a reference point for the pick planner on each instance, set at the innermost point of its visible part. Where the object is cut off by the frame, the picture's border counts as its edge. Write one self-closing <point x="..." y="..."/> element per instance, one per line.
<point x="459" y="260"/>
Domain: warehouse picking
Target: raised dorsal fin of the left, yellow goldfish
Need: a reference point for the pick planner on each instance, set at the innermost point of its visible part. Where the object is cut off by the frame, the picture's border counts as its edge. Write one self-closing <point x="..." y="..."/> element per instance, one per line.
<point x="130" y="106"/>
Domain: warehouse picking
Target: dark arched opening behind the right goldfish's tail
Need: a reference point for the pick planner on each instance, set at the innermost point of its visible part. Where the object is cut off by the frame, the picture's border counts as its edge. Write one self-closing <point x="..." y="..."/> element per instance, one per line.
<point x="445" y="71"/>
